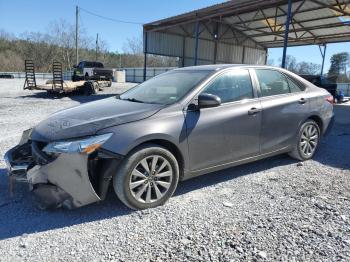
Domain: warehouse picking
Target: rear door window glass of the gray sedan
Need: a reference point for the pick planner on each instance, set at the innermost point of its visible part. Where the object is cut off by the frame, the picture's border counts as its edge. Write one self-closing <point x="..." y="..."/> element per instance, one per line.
<point x="272" y="82"/>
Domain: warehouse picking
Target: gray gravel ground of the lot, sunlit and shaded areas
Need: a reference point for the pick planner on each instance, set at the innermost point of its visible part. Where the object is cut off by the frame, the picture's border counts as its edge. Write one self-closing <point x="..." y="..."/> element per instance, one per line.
<point x="274" y="209"/>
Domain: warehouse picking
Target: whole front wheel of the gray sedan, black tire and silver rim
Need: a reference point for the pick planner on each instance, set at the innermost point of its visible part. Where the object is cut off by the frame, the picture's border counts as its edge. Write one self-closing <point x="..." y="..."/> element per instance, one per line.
<point x="132" y="179"/>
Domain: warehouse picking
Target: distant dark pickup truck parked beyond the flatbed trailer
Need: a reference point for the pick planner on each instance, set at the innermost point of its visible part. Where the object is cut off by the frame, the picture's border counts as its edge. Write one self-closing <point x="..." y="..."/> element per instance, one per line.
<point x="88" y="70"/>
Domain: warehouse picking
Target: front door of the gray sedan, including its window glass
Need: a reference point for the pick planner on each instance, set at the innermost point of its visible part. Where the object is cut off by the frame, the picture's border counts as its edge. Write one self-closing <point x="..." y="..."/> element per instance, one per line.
<point x="230" y="131"/>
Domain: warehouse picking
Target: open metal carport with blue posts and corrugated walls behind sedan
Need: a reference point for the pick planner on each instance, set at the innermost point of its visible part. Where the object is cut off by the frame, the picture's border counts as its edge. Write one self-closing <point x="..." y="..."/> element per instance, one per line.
<point x="241" y="31"/>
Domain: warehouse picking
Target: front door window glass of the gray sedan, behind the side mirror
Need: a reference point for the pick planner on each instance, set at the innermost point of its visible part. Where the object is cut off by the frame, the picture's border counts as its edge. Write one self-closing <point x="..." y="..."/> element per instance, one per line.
<point x="231" y="86"/>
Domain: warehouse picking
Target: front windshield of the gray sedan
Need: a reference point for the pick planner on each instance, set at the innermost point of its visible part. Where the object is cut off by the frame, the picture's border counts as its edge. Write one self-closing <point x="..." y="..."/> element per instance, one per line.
<point x="166" y="88"/>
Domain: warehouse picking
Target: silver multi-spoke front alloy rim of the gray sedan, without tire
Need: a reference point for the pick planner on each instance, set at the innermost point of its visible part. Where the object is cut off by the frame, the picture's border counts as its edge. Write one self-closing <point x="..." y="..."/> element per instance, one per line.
<point x="151" y="179"/>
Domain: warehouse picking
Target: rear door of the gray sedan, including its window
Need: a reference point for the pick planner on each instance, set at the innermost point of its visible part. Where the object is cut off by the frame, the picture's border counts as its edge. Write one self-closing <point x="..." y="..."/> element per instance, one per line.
<point x="284" y="107"/>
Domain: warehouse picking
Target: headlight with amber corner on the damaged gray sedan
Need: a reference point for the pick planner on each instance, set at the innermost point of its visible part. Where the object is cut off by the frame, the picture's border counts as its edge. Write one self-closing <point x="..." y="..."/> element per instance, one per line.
<point x="84" y="145"/>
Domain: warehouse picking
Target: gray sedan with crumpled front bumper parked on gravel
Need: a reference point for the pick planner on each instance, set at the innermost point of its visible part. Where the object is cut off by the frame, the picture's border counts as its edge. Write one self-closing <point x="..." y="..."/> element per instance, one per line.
<point x="175" y="126"/>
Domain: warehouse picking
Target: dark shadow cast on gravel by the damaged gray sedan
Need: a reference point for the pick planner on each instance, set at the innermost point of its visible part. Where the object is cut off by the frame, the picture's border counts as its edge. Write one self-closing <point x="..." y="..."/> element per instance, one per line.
<point x="19" y="216"/>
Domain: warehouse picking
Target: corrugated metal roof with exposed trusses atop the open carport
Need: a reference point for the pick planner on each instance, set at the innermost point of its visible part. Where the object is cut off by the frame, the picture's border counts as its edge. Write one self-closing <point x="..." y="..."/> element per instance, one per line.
<point x="261" y="23"/>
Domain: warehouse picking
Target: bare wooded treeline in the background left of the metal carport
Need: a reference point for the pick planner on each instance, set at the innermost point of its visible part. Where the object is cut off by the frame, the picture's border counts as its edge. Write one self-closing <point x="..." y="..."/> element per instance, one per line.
<point x="58" y="43"/>
